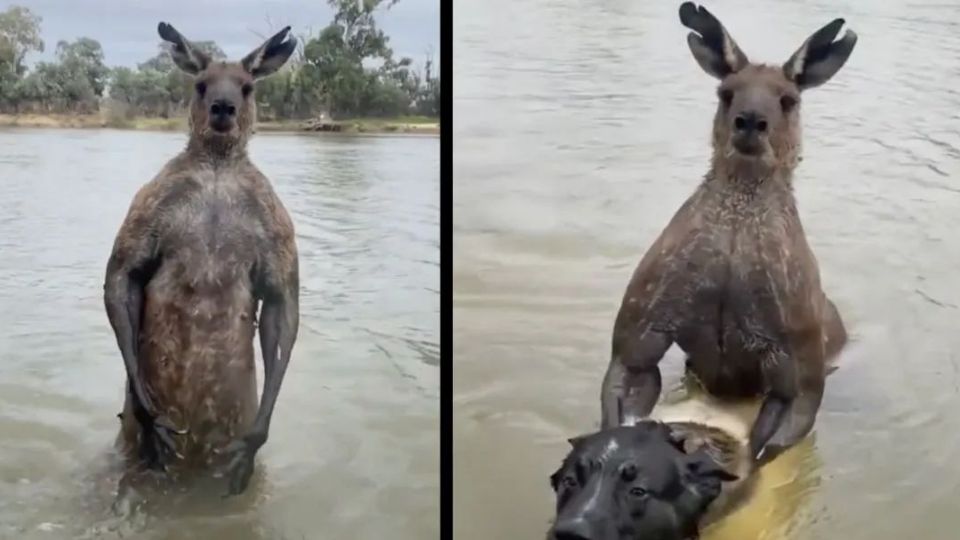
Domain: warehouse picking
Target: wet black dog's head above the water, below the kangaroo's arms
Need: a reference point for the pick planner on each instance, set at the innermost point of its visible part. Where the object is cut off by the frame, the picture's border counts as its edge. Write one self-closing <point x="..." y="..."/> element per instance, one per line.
<point x="650" y="481"/>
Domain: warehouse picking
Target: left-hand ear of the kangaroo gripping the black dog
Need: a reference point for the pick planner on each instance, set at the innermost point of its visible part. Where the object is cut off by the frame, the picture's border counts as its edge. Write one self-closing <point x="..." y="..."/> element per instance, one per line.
<point x="716" y="52"/>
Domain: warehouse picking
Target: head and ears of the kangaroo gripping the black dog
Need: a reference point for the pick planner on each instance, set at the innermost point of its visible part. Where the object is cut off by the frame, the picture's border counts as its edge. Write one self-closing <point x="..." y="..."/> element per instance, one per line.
<point x="757" y="123"/>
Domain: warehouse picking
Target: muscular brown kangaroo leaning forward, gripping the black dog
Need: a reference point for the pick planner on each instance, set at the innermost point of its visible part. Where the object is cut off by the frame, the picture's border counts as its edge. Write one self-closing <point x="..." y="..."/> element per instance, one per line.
<point x="732" y="280"/>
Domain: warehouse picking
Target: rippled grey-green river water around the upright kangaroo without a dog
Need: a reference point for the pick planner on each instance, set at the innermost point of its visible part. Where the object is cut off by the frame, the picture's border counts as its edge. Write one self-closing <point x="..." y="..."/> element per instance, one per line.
<point x="353" y="451"/>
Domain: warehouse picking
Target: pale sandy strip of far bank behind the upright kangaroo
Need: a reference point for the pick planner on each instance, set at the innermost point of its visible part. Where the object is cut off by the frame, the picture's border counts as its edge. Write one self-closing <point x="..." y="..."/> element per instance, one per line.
<point x="413" y="125"/>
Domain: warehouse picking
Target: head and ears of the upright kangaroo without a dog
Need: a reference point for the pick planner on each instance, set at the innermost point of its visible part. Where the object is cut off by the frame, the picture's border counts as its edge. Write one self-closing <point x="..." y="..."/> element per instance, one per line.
<point x="223" y="109"/>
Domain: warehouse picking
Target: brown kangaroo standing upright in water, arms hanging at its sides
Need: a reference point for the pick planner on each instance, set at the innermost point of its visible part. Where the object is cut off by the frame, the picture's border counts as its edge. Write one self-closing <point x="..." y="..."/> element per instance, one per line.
<point x="203" y="244"/>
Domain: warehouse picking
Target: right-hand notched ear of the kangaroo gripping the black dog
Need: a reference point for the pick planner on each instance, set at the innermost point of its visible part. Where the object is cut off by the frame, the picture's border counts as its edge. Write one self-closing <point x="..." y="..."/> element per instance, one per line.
<point x="820" y="57"/>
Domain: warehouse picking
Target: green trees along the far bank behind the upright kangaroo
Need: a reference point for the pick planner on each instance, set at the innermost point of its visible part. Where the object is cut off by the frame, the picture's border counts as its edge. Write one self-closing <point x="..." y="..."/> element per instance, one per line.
<point x="347" y="70"/>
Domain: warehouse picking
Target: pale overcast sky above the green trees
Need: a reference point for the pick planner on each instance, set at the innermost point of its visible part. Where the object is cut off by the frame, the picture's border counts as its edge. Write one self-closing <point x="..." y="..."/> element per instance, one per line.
<point x="127" y="29"/>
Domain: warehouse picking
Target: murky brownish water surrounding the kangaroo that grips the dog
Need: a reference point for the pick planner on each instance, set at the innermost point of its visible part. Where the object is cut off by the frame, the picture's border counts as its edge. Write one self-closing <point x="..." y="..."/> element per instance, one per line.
<point x="581" y="126"/>
